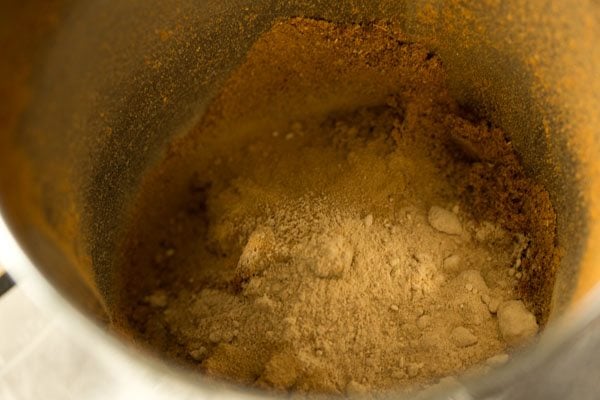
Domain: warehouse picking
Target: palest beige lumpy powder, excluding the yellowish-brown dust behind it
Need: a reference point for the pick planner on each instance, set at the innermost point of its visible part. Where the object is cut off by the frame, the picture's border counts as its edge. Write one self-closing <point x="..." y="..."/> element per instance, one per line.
<point x="345" y="288"/>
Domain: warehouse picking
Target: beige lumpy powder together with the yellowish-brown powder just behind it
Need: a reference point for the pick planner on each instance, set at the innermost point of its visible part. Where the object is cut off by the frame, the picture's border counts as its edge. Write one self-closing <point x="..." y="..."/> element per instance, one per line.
<point x="327" y="295"/>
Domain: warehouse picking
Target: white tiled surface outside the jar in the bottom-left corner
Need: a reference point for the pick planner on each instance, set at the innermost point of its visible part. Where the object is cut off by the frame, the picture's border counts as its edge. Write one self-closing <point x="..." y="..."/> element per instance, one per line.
<point x="38" y="360"/>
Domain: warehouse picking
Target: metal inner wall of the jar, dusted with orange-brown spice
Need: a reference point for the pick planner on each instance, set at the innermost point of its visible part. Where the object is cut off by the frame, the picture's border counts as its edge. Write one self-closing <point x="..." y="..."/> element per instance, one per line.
<point x="95" y="92"/>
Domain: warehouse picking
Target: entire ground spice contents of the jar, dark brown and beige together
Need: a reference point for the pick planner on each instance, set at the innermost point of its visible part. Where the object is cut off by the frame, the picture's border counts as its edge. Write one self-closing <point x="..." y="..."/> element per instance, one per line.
<point x="337" y="224"/>
